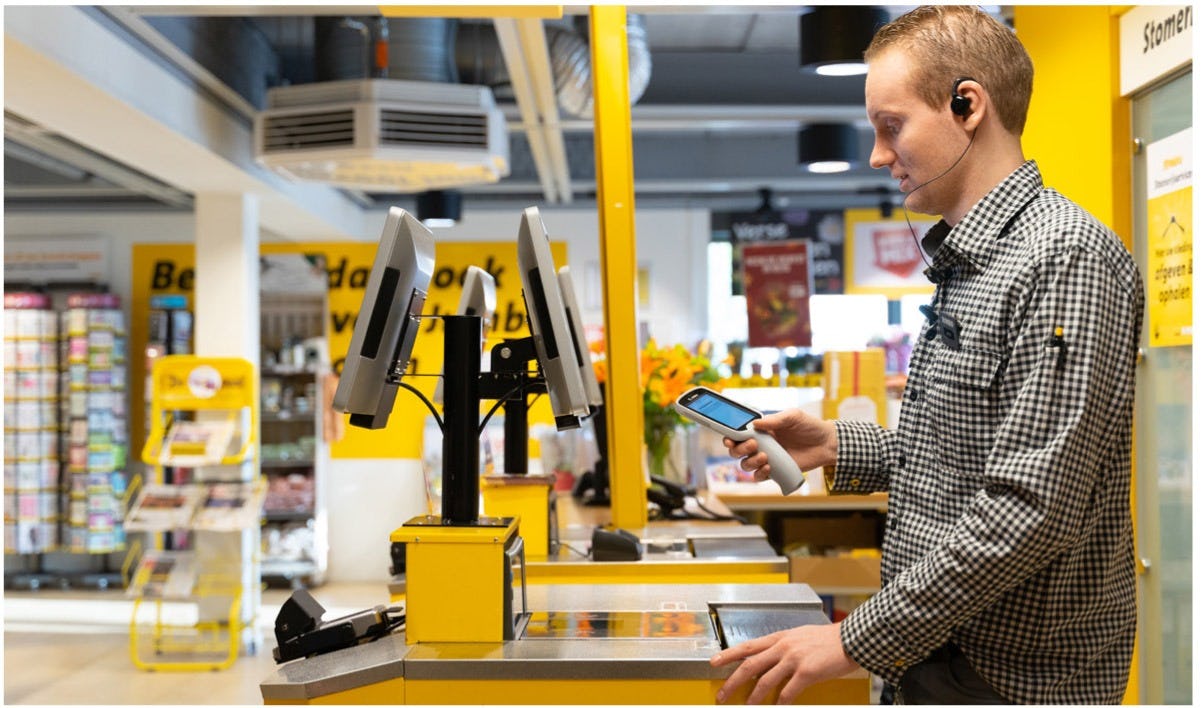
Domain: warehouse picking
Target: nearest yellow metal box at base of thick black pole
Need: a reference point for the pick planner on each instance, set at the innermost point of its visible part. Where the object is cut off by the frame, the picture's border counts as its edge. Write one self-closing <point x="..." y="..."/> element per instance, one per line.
<point x="461" y="580"/>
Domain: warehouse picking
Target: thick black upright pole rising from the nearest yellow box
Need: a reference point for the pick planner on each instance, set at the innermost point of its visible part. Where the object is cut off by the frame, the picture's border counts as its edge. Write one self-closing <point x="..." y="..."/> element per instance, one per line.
<point x="462" y="408"/>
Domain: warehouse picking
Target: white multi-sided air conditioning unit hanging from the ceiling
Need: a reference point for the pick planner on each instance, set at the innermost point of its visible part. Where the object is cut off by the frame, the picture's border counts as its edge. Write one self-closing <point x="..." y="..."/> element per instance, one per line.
<point x="385" y="135"/>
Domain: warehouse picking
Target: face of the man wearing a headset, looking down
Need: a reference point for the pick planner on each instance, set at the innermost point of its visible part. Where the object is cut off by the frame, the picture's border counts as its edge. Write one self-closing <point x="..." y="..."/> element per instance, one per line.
<point x="913" y="140"/>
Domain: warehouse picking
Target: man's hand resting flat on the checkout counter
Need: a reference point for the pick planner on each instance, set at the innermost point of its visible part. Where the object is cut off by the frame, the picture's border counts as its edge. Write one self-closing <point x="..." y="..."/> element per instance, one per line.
<point x="793" y="659"/>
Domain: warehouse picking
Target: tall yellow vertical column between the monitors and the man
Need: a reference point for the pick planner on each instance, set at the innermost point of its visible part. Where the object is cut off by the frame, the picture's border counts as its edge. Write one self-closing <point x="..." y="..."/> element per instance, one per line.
<point x="617" y="234"/>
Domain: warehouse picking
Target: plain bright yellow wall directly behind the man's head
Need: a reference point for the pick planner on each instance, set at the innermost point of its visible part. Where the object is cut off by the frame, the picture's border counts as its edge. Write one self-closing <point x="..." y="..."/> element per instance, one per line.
<point x="1078" y="126"/>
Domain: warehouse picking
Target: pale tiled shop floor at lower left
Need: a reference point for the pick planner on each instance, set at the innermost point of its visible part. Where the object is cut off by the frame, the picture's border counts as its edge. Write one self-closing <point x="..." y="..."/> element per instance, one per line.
<point x="74" y="650"/>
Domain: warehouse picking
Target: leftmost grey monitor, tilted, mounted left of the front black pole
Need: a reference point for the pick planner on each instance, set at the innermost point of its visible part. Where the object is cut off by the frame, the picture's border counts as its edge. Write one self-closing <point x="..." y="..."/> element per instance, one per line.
<point x="388" y="321"/>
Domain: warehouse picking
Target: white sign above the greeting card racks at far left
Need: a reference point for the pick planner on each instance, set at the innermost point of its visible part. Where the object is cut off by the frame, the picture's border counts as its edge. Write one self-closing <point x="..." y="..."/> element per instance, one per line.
<point x="79" y="259"/>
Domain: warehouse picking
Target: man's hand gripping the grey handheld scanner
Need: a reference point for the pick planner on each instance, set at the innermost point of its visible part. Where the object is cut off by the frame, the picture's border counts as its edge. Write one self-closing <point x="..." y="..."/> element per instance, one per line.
<point x="811" y="441"/>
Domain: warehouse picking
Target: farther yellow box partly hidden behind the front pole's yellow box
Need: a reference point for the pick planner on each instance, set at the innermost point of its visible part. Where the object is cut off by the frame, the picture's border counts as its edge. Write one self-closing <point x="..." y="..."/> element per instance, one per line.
<point x="530" y="499"/>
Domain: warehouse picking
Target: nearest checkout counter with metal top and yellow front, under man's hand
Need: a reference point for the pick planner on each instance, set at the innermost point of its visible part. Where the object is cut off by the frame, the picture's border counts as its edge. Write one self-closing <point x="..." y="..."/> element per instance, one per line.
<point x="615" y="645"/>
